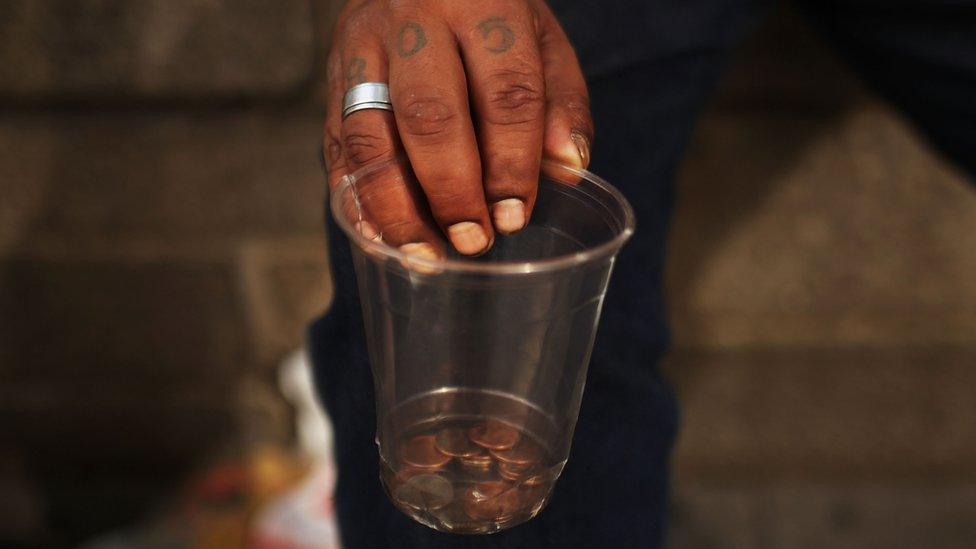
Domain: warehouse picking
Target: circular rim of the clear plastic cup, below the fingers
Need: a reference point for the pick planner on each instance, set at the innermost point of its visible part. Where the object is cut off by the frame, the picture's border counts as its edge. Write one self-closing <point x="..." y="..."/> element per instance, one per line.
<point x="477" y="267"/>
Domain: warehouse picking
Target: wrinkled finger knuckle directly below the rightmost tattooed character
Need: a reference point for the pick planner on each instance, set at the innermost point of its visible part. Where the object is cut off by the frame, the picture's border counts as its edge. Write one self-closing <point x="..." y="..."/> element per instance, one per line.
<point x="515" y="98"/>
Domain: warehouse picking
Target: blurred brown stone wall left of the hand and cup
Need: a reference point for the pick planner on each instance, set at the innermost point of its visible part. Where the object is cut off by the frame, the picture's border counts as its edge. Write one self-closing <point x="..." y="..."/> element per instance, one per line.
<point x="160" y="244"/>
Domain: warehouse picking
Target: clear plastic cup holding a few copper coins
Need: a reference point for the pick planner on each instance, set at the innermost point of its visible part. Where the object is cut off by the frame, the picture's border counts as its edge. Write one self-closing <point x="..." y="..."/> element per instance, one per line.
<point x="479" y="363"/>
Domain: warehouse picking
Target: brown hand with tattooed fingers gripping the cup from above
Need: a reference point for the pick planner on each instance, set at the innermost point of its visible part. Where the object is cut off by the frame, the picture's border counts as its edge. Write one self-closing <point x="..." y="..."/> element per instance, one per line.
<point x="478" y="162"/>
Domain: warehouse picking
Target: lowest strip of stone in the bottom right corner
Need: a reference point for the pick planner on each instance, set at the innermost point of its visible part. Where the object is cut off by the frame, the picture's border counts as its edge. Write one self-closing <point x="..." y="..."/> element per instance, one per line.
<point x="806" y="515"/>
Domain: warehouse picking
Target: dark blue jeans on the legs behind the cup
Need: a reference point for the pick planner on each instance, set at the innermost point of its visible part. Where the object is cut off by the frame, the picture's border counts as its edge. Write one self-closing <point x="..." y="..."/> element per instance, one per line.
<point x="650" y="65"/>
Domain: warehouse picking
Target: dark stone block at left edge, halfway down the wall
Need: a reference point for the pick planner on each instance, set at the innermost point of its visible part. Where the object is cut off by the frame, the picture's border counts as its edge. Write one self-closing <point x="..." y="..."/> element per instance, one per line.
<point x="119" y="325"/>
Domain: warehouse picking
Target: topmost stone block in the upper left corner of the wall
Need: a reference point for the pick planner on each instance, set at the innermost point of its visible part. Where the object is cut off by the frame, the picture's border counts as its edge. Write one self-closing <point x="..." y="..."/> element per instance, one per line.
<point x="102" y="49"/>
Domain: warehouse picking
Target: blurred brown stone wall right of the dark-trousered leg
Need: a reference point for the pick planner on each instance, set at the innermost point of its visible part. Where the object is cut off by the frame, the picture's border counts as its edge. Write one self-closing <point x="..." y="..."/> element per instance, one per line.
<point x="822" y="288"/>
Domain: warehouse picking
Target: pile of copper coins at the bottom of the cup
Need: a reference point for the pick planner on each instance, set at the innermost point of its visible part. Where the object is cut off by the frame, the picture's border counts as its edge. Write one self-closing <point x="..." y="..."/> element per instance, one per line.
<point x="470" y="477"/>
